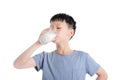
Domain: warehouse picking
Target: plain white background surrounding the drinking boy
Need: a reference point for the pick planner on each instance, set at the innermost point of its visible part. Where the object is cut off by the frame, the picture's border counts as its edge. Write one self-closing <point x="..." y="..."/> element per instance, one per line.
<point x="98" y="32"/>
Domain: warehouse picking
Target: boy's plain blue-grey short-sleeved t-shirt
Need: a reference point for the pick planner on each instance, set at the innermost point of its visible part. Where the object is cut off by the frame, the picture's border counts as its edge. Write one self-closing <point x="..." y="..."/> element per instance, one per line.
<point x="73" y="66"/>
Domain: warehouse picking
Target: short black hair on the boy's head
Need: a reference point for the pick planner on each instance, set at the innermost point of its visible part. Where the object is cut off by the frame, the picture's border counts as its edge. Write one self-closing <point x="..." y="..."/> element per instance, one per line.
<point x="65" y="17"/>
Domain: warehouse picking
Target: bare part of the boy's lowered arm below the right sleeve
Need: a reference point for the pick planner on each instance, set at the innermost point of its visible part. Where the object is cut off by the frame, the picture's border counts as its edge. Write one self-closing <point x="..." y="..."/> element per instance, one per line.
<point x="102" y="75"/>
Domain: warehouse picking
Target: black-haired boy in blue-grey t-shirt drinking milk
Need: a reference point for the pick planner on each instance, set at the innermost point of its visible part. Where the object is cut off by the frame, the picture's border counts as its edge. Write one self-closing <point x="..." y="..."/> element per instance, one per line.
<point x="63" y="63"/>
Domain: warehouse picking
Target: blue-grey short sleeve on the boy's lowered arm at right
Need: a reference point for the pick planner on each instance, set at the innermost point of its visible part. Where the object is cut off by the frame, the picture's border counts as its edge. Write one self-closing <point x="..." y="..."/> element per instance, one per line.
<point x="91" y="65"/>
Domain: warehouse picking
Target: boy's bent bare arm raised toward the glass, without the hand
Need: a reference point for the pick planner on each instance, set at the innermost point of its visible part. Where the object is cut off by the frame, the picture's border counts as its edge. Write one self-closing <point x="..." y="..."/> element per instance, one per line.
<point x="25" y="60"/>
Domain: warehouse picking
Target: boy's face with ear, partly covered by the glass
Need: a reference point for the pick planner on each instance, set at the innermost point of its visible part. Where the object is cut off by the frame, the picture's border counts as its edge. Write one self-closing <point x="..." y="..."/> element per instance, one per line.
<point x="63" y="33"/>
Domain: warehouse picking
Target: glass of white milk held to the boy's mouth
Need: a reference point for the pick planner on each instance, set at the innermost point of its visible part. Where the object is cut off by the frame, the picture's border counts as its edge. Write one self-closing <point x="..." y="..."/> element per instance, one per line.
<point x="47" y="37"/>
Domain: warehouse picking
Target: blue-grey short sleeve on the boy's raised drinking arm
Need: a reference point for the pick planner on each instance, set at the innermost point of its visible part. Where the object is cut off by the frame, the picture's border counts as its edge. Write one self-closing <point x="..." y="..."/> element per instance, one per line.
<point x="39" y="58"/>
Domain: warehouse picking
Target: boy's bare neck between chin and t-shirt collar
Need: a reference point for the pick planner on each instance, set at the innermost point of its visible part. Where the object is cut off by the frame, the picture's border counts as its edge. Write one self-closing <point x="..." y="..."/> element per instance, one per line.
<point x="64" y="49"/>
